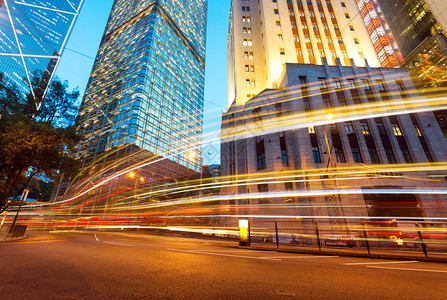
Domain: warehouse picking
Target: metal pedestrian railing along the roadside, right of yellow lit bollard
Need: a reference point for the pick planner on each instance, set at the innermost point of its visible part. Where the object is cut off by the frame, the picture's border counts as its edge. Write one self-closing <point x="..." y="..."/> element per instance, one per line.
<point x="372" y="237"/>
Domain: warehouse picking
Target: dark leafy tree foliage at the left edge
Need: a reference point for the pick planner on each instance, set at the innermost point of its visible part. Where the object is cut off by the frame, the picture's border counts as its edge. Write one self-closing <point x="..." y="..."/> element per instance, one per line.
<point x="36" y="136"/>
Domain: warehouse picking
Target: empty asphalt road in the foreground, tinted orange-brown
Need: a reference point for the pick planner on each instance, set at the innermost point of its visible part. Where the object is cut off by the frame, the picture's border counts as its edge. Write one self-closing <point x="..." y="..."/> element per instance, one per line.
<point x="130" y="266"/>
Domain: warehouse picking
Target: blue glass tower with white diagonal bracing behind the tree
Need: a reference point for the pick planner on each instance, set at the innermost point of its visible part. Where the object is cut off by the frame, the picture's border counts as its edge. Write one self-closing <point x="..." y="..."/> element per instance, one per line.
<point x="33" y="35"/>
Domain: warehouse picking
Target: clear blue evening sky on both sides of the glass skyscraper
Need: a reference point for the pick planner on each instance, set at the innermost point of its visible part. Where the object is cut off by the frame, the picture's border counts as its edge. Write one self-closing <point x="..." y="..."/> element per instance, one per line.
<point x="77" y="61"/>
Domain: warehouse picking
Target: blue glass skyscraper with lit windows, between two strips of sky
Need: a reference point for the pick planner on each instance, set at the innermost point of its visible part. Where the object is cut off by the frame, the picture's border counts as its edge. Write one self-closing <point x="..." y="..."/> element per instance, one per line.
<point x="145" y="92"/>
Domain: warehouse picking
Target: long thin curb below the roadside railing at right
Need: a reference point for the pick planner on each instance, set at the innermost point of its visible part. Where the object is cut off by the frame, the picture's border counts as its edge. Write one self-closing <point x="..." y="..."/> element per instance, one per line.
<point x="365" y="255"/>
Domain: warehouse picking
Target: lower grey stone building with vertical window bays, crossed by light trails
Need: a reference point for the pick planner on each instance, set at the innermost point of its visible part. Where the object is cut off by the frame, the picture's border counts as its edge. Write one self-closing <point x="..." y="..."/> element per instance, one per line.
<point x="284" y="155"/>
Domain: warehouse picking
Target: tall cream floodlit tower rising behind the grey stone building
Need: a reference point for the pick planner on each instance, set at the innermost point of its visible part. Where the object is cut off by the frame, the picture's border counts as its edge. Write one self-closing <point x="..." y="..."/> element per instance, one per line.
<point x="264" y="35"/>
